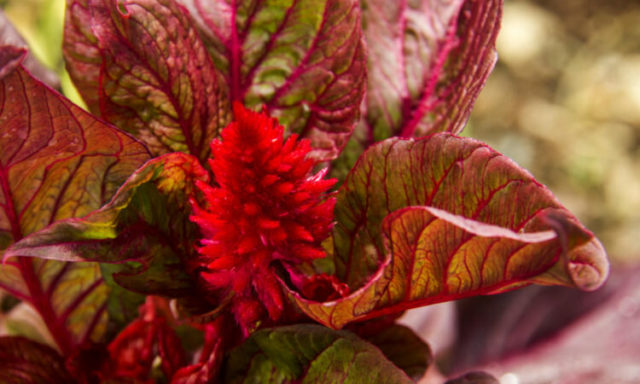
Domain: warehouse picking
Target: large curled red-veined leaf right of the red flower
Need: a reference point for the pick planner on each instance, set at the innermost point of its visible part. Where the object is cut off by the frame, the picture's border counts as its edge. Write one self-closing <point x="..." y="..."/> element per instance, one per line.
<point x="420" y="222"/>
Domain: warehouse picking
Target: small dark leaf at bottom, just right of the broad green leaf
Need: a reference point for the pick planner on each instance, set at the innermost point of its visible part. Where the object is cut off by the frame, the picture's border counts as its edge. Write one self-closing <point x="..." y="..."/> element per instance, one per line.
<point x="403" y="348"/>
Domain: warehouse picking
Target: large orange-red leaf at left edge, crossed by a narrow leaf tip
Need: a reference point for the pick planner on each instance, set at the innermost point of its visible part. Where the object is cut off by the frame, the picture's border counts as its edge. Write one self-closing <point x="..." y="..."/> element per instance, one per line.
<point x="56" y="161"/>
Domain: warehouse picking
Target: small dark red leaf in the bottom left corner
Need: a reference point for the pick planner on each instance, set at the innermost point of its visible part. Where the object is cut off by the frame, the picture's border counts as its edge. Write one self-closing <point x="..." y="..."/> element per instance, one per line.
<point x="23" y="361"/>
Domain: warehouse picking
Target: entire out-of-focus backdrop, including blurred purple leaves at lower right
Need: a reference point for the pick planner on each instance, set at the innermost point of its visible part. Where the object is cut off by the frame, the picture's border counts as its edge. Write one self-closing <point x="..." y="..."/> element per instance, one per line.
<point x="563" y="102"/>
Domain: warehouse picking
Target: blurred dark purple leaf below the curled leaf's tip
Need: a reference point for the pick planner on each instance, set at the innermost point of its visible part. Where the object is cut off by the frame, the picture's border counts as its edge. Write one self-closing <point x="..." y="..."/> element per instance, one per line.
<point x="491" y="328"/>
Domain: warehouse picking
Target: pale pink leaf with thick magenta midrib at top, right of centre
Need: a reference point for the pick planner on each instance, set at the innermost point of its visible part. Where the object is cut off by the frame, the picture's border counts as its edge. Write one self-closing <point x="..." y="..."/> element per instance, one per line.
<point x="428" y="61"/>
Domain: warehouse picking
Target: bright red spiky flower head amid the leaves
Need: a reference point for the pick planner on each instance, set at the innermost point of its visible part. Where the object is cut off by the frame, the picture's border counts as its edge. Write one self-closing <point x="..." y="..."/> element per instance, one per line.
<point x="267" y="205"/>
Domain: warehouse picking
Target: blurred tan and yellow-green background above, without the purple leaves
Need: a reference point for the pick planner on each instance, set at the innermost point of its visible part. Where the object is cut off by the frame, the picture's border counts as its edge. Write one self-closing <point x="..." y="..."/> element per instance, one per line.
<point x="563" y="102"/>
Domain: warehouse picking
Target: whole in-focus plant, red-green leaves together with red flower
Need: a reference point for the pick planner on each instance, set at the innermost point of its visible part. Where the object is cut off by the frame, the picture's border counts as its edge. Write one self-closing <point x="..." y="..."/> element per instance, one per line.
<point x="231" y="260"/>
